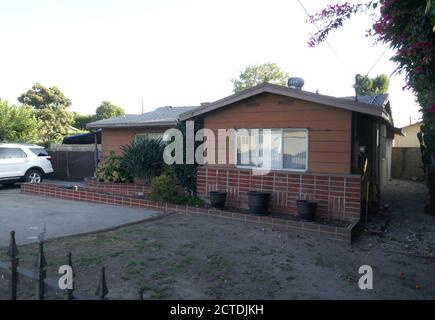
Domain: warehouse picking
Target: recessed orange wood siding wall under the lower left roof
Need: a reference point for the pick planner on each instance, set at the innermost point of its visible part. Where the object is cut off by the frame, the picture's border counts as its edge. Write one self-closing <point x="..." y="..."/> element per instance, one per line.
<point x="112" y="139"/>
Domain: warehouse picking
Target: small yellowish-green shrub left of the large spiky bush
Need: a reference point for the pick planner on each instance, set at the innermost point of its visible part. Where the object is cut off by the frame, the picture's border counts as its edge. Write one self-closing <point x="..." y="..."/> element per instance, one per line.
<point x="112" y="169"/>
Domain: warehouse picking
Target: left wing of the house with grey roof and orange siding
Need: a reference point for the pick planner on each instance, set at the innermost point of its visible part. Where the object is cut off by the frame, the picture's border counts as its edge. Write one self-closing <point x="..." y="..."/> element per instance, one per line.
<point x="124" y="129"/>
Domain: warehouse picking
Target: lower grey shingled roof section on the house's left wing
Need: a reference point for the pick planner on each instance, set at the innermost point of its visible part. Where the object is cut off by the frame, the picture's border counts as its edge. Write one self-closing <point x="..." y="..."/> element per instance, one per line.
<point x="164" y="116"/>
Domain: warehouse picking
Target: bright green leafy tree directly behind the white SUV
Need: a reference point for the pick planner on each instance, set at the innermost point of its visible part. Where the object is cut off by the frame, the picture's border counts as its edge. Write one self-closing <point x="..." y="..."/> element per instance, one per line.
<point x="18" y="124"/>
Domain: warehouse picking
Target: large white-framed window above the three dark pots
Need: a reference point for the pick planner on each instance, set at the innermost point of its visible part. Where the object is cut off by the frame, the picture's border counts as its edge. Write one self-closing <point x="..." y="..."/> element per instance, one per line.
<point x="273" y="148"/>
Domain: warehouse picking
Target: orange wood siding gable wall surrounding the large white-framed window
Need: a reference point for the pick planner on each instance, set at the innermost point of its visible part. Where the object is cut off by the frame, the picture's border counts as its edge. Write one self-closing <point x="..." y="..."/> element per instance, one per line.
<point x="329" y="128"/>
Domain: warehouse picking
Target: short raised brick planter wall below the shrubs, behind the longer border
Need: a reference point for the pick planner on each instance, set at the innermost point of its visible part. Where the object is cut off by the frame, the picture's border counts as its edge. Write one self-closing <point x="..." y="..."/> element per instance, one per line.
<point x="126" y="189"/>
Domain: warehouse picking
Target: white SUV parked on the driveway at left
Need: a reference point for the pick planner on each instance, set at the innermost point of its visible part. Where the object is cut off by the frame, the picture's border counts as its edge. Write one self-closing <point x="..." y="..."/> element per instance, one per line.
<point x="23" y="162"/>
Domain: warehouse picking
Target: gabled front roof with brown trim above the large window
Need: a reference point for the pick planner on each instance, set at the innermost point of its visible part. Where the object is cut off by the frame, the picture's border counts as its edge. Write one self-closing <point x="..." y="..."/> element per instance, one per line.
<point x="374" y="107"/>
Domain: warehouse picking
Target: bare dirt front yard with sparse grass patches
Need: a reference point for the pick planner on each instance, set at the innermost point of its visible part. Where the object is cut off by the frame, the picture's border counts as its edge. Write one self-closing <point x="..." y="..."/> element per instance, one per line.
<point x="193" y="257"/>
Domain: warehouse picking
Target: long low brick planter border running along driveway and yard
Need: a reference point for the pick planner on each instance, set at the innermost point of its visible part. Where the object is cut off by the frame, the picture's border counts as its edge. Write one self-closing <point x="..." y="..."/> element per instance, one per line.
<point x="342" y="234"/>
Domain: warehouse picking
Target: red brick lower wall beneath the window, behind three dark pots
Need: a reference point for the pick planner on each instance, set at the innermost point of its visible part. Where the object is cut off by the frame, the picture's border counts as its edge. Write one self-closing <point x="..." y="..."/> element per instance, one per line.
<point x="338" y="195"/>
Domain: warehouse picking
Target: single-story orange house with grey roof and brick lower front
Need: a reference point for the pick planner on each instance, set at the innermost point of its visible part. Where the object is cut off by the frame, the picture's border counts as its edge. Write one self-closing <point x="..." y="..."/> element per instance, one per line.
<point x="336" y="151"/>
